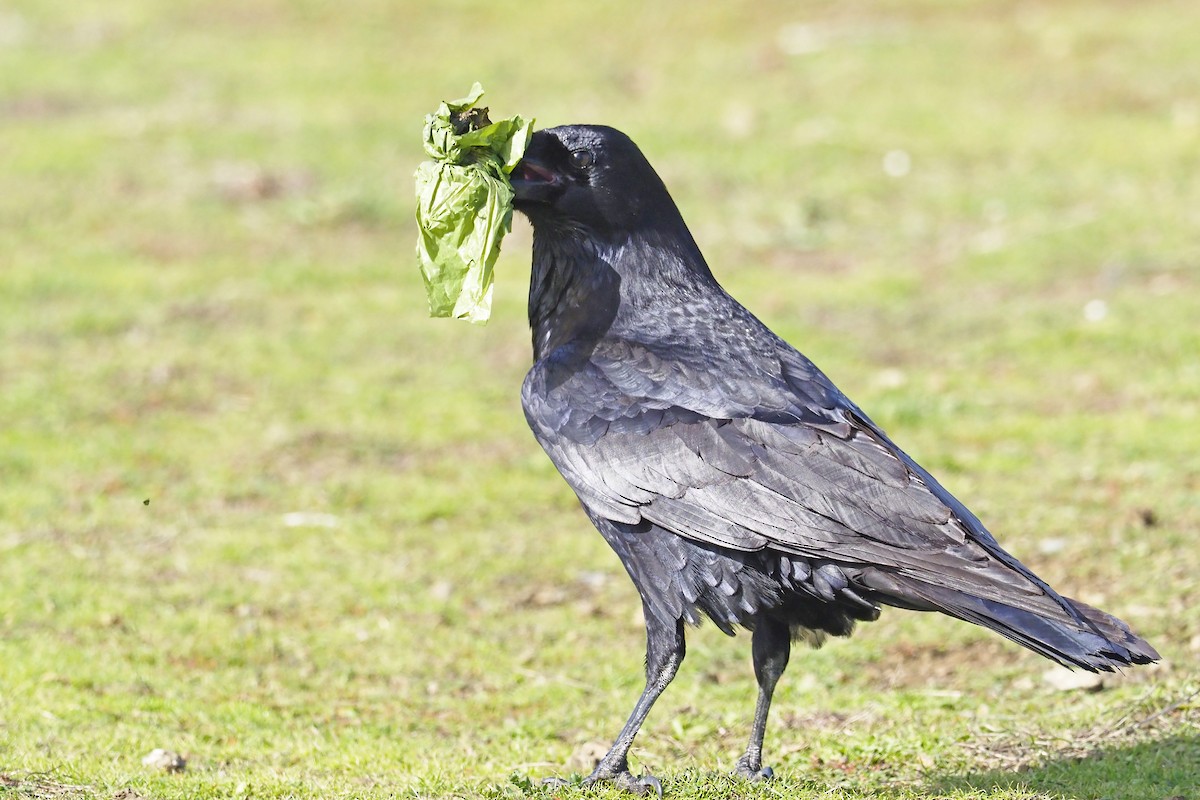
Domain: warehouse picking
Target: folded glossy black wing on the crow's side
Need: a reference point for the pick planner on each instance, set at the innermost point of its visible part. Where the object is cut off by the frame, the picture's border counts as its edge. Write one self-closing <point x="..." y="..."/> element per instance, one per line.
<point x="764" y="453"/>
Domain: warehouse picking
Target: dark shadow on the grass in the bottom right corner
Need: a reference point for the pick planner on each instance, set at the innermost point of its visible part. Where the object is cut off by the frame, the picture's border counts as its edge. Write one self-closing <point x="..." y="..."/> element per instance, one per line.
<point x="1162" y="769"/>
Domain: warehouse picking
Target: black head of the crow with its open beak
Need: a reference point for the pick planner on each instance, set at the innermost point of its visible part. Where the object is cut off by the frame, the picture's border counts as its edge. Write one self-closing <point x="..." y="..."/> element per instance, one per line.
<point x="591" y="178"/>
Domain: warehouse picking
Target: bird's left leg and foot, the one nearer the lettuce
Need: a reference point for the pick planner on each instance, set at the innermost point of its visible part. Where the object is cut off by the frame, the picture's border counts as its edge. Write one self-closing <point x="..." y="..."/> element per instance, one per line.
<point x="664" y="653"/>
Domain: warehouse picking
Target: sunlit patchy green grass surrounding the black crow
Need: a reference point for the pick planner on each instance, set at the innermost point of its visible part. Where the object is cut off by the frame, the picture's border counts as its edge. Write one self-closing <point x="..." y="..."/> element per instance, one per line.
<point x="209" y="303"/>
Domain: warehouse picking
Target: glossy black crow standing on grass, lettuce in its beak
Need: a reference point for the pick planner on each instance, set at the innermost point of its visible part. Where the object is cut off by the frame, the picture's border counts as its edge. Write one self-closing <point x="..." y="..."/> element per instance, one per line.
<point x="730" y="476"/>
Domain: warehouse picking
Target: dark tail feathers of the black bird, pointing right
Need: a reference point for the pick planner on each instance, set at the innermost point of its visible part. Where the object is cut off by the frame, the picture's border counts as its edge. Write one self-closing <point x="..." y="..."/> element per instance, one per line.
<point x="1071" y="633"/>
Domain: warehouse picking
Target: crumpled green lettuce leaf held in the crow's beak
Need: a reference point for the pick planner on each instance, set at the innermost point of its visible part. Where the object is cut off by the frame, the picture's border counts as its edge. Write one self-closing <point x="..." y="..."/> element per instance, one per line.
<point x="465" y="204"/>
